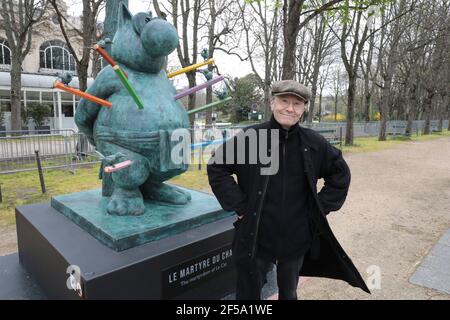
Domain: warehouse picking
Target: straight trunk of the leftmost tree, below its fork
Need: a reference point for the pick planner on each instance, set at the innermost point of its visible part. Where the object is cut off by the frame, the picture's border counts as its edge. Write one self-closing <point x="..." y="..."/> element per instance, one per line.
<point x="16" y="87"/>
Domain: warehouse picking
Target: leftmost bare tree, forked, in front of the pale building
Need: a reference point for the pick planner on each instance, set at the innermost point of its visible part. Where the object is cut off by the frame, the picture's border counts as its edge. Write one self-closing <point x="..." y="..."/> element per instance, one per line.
<point x="18" y="20"/>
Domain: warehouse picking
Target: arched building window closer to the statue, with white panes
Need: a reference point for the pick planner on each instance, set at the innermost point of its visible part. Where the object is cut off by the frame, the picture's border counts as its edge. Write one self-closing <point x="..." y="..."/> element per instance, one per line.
<point x="55" y="56"/>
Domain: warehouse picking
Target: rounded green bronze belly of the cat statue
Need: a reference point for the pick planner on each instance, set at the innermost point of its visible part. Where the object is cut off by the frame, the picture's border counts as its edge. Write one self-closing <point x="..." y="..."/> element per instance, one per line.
<point x="145" y="131"/>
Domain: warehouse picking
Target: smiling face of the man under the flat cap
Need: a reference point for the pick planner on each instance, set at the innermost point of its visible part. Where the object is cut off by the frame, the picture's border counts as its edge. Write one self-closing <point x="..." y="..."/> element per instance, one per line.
<point x="287" y="109"/>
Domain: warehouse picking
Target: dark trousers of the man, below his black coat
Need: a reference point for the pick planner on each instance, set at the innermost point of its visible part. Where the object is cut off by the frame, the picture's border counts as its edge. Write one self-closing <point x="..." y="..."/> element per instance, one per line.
<point x="251" y="279"/>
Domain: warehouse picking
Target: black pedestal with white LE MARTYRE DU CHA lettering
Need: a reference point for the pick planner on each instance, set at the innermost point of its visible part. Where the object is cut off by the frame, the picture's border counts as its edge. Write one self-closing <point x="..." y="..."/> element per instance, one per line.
<point x="195" y="264"/>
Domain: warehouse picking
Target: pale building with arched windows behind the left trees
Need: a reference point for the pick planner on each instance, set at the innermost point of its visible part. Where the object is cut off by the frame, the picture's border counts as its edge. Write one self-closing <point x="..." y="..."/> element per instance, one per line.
<point x="48" y="57"/>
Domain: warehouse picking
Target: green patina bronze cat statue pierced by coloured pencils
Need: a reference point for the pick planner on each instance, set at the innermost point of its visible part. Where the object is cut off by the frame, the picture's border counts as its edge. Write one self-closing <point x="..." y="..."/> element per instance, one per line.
<point x="124" y="131"/>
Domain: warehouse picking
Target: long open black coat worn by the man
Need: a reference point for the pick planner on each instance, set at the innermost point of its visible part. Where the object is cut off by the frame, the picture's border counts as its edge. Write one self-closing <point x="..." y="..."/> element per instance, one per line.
<point x="321" y="160"/>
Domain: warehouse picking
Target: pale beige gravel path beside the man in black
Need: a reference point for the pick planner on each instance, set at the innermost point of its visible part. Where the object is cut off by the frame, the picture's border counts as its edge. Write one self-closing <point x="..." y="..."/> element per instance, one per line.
<point x="397" y="208"/>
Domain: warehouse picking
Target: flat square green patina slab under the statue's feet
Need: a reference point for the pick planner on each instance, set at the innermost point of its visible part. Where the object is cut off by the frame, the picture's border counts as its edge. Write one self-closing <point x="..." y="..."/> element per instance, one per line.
<point x="160" y="220"/>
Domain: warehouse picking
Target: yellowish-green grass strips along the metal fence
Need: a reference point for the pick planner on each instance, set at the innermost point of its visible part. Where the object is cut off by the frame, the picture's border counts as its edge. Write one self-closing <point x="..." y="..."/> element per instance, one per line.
<point x="24" y="188"/>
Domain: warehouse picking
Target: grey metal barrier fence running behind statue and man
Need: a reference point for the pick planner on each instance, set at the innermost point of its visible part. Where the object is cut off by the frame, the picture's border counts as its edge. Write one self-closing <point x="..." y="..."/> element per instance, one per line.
<point x="69" y="149"/>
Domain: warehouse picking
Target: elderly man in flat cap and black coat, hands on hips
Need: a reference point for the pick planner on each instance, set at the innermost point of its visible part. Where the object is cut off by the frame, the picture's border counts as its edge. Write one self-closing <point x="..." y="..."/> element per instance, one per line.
<point x="281" y="218"/>
